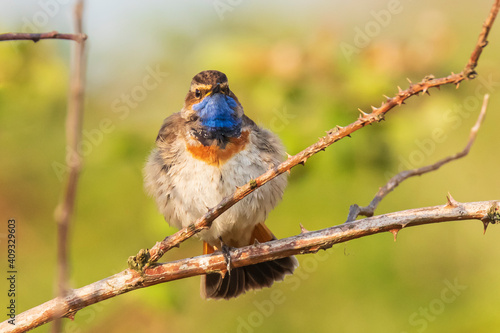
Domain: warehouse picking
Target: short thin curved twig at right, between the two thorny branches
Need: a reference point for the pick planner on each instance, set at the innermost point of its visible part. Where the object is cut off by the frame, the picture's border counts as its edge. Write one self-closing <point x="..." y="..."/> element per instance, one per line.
<point x="355" y="210"/>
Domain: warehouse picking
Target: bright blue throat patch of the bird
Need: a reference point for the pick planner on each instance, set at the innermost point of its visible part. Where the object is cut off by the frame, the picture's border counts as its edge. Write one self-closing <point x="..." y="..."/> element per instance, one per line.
<point x="217" y="114"/>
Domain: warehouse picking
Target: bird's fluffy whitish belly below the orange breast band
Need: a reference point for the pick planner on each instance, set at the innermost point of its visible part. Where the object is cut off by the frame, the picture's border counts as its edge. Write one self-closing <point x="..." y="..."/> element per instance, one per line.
<point x="188" y="189"/>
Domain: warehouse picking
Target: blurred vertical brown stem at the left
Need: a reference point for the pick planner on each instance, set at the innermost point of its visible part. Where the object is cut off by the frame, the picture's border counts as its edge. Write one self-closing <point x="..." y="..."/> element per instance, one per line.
<point x="65" y="209"/>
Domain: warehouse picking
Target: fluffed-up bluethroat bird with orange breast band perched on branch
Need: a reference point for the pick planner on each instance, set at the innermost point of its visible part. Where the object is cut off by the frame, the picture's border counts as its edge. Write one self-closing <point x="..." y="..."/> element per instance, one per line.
<point x="202" y="154"/>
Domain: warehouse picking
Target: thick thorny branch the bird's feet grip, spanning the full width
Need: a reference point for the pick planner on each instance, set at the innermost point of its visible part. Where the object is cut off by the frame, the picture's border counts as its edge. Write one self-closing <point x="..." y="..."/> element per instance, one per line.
<point x="308" y="242"/>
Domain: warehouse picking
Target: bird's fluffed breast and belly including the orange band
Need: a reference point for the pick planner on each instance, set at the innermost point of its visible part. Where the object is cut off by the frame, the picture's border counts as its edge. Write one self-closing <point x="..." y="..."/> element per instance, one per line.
<point x="199" y="177"/>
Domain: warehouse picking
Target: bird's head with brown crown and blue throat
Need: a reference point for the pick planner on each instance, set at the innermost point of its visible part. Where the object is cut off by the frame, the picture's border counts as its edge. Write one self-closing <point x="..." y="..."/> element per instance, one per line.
<point x="212" y="107"/>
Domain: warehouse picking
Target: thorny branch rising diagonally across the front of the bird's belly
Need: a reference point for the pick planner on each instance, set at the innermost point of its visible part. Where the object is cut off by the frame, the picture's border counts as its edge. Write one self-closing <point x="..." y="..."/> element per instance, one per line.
<point x="332" y="136"/>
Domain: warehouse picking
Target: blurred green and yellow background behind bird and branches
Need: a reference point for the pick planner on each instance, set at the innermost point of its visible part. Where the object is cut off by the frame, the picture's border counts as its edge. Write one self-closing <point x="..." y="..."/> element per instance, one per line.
<point x="298" y="69"/>
